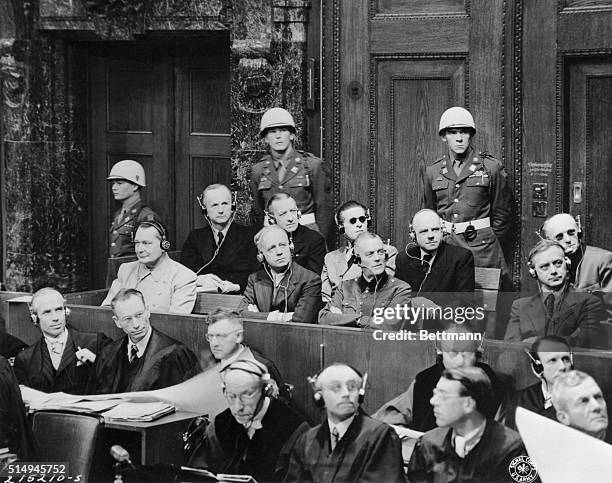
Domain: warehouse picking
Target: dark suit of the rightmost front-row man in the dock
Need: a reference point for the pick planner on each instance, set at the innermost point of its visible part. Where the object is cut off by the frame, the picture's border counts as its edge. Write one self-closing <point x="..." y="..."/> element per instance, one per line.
<point x="575" y="318"/>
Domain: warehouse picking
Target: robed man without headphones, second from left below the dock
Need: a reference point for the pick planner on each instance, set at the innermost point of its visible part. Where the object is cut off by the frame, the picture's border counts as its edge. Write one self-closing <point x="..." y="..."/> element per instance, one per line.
<point x="145" y="358"/>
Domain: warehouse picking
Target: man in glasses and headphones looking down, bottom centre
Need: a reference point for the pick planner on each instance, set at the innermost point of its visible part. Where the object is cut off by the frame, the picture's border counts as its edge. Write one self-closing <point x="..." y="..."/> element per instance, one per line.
<point x="255" y="434"/>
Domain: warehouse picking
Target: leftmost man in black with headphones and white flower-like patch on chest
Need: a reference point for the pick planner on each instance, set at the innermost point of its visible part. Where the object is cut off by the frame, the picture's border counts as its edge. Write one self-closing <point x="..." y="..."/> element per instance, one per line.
<point x="62" y="358"/>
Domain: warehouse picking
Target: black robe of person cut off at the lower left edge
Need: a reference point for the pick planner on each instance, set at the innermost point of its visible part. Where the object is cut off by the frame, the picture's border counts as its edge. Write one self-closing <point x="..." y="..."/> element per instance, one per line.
<point x="15" y="429"/>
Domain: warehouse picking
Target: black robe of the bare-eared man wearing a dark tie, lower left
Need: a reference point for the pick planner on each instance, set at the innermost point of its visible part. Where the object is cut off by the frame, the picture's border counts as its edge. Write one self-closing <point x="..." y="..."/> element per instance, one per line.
<point x="165" y="362"/>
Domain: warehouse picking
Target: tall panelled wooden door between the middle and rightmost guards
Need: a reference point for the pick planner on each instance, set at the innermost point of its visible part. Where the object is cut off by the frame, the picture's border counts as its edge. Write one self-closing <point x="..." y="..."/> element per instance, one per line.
<point x="400" y="64"/>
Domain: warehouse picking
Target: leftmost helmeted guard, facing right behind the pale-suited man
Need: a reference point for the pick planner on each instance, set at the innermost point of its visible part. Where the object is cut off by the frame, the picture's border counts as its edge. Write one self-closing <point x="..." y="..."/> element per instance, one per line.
<point x="127" y="178"/>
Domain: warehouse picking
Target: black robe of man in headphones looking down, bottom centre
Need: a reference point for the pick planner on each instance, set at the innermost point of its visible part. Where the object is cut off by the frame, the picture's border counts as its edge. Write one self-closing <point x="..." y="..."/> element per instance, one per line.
<point x="226" y="447"/>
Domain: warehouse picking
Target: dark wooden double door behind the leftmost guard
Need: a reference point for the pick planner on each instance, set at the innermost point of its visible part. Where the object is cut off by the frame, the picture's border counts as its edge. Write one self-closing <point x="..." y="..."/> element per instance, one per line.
<point x="167" y="107"/>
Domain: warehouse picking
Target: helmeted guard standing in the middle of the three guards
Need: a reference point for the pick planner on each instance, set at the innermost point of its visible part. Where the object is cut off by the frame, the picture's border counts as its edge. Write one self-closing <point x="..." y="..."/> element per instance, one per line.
<point x="284" y="169"/>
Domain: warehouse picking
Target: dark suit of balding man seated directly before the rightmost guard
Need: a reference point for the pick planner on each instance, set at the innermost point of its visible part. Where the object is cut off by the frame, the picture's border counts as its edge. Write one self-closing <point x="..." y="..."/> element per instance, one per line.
<point x="452" y="271"/>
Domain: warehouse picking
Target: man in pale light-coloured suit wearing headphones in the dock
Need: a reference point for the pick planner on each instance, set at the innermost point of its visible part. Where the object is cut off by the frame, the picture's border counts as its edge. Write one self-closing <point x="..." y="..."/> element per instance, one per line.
<point x="167" y="286"/>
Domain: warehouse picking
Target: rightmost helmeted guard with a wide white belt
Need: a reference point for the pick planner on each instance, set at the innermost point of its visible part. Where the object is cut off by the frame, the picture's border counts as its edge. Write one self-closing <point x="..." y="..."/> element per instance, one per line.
<point x="470" y="191"/>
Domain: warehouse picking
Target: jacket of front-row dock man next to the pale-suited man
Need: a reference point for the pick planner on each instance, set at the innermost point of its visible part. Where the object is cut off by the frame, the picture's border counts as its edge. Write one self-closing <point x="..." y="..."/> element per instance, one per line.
<point x="302" y="296"/>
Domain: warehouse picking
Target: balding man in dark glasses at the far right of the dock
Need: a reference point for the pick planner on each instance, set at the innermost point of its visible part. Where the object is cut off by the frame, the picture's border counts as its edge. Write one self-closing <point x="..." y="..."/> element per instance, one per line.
<point x="591" y="268"/>
